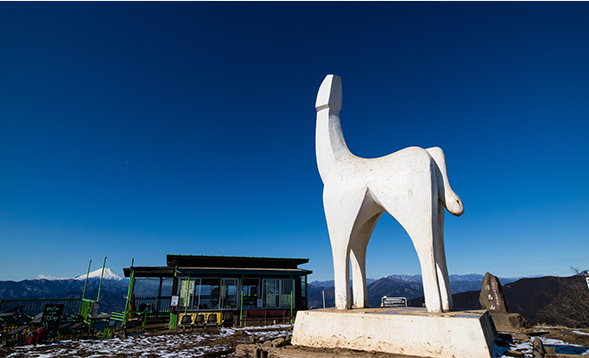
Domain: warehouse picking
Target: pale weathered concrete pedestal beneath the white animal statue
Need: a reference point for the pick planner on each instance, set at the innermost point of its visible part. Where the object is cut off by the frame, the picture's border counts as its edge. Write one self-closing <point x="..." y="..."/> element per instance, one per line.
<point x="410" y="331"/>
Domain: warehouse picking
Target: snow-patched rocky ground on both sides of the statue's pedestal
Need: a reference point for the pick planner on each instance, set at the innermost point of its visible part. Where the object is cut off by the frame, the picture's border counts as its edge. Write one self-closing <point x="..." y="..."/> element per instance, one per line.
<point x="242" y="342"/>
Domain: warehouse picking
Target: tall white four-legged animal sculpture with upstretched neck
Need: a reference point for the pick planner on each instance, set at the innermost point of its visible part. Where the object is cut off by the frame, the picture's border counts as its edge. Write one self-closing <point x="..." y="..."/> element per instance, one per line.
<point x="411" y="184"/>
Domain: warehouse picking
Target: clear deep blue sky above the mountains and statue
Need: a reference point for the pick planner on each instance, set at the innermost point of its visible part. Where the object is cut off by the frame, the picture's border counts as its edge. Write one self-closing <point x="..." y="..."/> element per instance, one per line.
<point x="136" y="129"/>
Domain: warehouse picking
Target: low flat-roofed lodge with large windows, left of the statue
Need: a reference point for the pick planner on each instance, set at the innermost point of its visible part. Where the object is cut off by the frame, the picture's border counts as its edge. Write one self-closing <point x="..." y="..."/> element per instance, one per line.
<point x="260" y="290"/>
